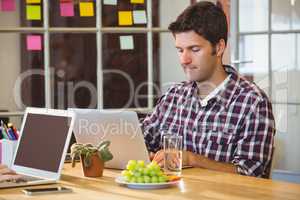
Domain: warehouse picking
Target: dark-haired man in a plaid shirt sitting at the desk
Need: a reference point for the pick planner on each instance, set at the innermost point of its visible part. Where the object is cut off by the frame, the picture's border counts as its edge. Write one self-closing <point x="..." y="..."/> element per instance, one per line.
<point x="226" y="122"/>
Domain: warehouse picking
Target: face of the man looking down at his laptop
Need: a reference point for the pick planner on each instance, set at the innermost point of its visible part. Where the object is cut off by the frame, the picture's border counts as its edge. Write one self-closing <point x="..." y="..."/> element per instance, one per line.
<point x="196" y="56"/>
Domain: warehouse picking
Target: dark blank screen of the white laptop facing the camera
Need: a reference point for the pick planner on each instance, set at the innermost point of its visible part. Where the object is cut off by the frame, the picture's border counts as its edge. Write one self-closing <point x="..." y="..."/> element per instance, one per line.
<point x="42" y="142"/>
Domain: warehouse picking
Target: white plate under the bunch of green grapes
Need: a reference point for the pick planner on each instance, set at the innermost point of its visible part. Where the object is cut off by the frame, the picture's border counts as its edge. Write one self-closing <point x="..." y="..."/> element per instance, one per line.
<point x="145" y="186"/>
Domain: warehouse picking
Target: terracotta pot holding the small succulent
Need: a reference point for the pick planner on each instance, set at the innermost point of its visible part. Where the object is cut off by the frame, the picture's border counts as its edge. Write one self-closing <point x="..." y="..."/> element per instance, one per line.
<point x="96" y="168"/>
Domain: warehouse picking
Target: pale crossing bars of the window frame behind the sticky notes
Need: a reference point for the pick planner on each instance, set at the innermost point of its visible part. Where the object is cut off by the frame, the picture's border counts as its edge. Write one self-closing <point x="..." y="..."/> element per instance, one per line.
<point x="46" y="30"/>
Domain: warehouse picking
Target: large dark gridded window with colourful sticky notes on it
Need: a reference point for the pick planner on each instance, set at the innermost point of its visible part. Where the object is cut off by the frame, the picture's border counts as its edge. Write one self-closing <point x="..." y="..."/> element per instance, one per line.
<point x="85" y="55"/>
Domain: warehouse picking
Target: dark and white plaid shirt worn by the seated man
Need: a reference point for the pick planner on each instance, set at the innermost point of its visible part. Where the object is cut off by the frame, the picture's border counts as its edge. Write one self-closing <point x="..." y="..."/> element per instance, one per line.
<point x="236" y="126"/>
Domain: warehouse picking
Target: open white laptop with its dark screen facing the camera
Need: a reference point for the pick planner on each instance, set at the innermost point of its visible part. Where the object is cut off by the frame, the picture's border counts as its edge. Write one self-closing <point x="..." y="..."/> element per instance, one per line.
<point x="42" y="146"/>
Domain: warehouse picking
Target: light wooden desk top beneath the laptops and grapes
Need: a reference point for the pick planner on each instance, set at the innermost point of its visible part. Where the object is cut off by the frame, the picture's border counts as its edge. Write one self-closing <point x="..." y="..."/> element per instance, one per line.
<point x="197" y="184"/>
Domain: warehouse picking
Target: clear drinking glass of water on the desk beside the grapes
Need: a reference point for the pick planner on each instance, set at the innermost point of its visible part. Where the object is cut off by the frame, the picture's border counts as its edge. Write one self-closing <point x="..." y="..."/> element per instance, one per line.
<point x="172" y="154"/>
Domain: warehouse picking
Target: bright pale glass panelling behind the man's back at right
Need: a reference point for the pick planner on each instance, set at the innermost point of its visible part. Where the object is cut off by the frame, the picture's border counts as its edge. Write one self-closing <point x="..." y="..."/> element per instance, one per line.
<point x="266" y="45"/>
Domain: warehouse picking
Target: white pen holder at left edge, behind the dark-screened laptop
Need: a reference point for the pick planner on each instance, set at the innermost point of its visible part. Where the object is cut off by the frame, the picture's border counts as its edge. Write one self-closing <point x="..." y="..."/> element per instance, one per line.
<point x="7" y="150"/>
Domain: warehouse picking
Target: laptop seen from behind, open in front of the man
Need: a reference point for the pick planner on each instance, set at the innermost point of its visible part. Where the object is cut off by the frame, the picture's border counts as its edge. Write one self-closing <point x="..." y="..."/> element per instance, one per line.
<point x="120" y="127"/>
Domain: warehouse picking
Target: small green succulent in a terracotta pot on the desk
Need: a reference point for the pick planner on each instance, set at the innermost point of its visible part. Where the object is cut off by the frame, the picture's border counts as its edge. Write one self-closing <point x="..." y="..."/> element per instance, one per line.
<point x="92" y="157"/>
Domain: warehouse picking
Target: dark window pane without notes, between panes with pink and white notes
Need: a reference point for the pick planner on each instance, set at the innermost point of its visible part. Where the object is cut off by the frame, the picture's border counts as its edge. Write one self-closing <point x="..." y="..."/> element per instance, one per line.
<point x="73" y="61"/>
